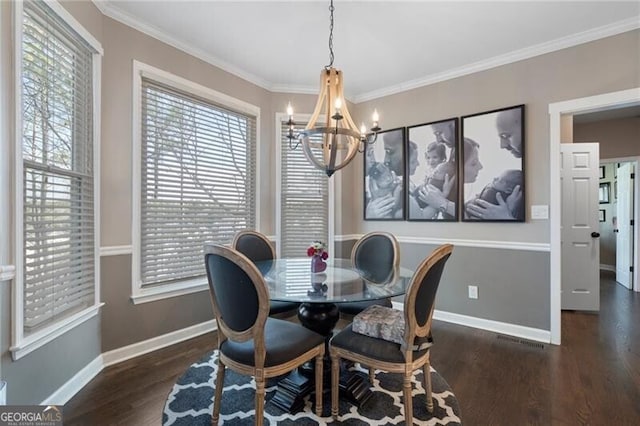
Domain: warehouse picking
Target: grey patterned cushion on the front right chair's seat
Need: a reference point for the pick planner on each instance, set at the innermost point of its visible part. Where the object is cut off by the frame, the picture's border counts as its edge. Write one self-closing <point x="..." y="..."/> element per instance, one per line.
<point x="384" y="323"/>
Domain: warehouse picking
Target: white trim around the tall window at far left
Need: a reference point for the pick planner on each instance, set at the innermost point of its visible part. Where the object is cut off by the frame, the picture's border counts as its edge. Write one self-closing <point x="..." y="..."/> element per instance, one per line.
<point x="22" y="345"/>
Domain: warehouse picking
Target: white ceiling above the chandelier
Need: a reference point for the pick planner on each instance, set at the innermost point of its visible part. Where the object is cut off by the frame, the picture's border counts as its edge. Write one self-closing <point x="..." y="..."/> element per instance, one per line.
<point x="382" y="47"/>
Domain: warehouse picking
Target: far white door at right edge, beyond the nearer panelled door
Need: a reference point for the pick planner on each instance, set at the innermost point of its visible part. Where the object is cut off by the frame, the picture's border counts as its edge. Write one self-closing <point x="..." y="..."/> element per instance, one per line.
<point x="624" y="238"/>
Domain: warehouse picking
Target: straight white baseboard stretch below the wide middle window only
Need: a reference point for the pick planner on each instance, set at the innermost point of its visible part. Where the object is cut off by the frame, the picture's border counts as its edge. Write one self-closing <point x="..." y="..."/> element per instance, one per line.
<point x="140" y="348"/>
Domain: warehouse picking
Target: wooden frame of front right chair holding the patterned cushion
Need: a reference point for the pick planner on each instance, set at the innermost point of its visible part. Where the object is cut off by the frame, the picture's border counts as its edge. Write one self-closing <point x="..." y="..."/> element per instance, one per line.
<point x="412" y="330"/>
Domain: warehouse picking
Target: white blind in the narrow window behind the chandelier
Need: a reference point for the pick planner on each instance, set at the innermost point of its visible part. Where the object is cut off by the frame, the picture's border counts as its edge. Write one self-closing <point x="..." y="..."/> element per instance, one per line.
<point x="304" y="200"/>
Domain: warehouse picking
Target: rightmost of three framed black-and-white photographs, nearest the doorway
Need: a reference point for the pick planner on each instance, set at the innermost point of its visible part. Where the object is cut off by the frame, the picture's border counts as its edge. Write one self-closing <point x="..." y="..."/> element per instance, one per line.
<point x="493" y="173"/>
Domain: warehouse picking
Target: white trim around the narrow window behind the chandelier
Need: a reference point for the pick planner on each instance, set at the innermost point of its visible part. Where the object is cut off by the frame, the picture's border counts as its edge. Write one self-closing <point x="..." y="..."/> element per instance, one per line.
<point x="281" y="118"/>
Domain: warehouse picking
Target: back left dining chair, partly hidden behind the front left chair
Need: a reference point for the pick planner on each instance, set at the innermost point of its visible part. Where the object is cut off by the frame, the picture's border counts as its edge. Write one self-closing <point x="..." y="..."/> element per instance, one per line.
<point x="257" y="247"/>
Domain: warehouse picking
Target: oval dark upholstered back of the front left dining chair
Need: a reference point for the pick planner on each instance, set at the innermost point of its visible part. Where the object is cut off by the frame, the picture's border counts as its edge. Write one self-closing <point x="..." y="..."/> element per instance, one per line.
<point x="239" y="295"/>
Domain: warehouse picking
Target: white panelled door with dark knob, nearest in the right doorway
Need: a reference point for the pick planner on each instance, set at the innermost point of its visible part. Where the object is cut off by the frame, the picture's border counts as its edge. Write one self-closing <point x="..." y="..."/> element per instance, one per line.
<point x="579" y="226"/>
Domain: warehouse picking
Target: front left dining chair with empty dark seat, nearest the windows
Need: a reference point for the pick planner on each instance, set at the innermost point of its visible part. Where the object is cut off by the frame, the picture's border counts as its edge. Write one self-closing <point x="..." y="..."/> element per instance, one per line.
<point x="249" y="341"/>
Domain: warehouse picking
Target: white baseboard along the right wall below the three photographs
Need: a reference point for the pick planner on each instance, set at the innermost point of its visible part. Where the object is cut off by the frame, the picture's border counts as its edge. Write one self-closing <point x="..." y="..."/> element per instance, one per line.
<point x="521" y="331"/>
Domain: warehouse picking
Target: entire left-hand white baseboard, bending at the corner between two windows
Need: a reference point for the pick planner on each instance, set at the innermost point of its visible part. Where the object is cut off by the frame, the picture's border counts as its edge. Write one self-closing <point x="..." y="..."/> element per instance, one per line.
<point x="84" y="376"/>
